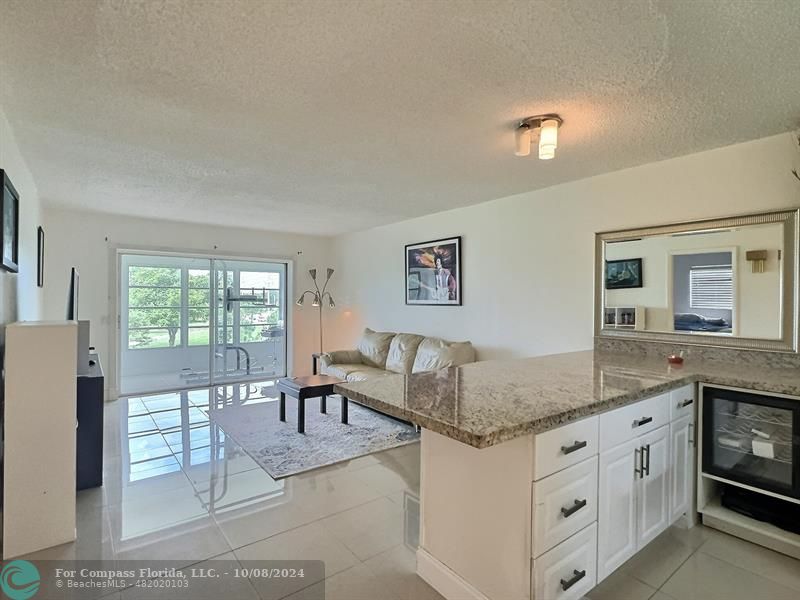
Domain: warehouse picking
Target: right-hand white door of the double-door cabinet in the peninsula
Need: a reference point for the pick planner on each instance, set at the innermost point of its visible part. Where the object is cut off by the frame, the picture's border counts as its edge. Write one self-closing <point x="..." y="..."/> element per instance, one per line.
<point x="653" y="493"/>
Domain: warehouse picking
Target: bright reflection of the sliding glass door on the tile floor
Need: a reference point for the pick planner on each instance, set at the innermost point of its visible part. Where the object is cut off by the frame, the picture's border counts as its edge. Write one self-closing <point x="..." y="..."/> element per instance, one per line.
<point x="169" y="442"/>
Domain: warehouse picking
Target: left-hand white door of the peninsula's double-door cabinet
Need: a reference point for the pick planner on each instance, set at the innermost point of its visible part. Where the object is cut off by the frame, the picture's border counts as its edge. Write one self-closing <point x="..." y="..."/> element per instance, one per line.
<point x="616" y="517"/>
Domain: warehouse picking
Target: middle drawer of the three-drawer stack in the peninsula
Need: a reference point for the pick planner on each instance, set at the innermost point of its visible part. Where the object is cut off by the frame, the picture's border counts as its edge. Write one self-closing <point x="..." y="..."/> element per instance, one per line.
<point x="563" y="504"/>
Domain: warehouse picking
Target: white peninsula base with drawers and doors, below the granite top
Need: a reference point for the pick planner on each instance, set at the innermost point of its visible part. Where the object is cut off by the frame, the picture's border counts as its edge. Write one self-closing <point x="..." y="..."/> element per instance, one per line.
<point x="550" y="515"/>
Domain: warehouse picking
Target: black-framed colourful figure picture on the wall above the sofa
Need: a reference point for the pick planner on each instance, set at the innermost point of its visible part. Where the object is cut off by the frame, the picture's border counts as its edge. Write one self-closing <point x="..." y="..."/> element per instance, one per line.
<point x="433" y="272"/>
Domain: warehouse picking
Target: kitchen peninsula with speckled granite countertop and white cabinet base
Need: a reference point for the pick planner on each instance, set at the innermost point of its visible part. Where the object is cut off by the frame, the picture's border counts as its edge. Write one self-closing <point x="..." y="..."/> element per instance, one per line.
<point x="541" y="476"/>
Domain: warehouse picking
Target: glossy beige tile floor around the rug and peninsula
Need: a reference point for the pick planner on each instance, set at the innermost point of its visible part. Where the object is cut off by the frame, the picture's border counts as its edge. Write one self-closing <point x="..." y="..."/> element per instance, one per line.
<point x="177" y="489"/>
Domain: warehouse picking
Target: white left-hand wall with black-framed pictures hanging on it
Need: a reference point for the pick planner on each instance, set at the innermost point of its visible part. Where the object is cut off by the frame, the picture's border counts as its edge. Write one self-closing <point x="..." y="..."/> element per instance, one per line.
<point x="20" y="299"/>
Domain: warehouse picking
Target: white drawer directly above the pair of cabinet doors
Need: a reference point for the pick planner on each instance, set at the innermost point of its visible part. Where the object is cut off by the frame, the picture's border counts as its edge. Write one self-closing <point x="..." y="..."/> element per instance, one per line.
<point x="623" y="424"/>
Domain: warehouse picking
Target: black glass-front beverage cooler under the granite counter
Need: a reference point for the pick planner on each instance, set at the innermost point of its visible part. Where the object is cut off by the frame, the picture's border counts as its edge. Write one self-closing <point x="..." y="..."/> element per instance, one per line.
<point x="752" y="439"/>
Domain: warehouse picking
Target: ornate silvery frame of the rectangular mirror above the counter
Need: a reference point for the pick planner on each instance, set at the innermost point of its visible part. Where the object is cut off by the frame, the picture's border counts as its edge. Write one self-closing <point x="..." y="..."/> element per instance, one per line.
<point x="790" y="305"/>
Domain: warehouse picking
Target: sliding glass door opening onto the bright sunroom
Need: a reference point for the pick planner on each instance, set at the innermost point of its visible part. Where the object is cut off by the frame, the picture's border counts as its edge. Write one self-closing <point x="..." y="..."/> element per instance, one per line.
<point x="192" y="321"/>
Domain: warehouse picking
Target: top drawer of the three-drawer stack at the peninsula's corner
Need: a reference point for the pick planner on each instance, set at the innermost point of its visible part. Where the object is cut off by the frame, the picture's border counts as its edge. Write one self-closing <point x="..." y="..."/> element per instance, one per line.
<point x="560" y="448"/>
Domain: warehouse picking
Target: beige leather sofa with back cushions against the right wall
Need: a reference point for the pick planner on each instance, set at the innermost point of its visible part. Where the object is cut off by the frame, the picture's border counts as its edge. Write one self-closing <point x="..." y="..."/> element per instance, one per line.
<point x="380" y="353"/>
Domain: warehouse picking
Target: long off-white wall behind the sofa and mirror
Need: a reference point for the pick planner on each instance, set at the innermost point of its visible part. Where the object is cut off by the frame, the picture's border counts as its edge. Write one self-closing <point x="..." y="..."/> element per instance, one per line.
<point x="528" y="260"/>
